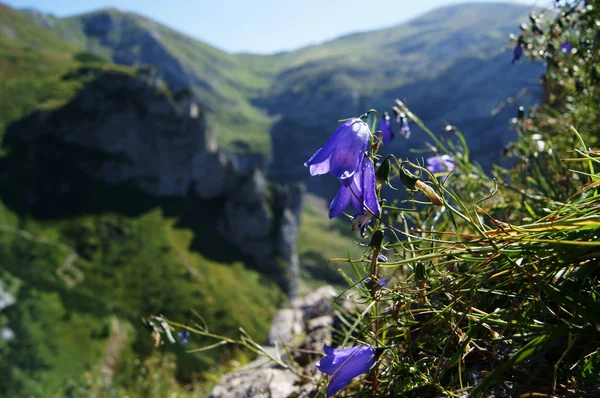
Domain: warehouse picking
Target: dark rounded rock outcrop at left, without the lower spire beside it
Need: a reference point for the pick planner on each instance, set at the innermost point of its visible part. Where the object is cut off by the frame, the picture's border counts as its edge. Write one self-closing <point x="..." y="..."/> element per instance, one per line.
<point x="138" y="135"/>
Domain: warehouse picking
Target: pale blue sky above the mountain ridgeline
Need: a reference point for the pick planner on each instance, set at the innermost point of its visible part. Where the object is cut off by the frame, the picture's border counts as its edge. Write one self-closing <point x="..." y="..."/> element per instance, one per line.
<point x="264" y="26"/>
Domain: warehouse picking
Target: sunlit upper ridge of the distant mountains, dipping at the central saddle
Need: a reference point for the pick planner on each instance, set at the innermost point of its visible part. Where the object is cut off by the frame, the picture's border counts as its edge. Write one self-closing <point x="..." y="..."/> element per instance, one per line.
<point x="242" y="84"/>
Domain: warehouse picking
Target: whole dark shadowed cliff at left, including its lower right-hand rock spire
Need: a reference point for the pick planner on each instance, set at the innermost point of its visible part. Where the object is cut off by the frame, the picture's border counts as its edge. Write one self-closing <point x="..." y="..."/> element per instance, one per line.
<point x="122" y="131"/>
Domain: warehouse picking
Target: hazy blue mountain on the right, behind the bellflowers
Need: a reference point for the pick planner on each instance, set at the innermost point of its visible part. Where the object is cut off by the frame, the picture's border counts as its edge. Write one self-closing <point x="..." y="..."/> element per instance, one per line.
<point x="450" y="66"/>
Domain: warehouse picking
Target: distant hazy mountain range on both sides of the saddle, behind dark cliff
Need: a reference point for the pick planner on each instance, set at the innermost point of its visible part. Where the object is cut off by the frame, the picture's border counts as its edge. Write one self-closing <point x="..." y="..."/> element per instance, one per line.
<point x="261" y="107"/>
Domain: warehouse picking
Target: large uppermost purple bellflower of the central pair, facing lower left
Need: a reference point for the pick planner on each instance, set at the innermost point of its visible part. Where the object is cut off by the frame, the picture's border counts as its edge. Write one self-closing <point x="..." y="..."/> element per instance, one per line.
<point x="342" y="154"/>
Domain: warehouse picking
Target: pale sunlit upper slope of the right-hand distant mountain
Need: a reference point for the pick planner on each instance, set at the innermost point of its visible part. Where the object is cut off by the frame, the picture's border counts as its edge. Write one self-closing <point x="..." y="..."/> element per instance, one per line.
<point x="395" y="56"/>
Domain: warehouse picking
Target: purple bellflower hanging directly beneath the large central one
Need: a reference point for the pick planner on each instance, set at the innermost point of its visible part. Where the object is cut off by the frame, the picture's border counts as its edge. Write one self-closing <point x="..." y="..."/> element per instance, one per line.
<point x="360" y="191"/>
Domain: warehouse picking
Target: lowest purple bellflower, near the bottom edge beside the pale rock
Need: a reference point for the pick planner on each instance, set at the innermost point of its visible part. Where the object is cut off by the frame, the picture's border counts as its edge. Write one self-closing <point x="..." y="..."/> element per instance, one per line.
<point x="346" y="364"/>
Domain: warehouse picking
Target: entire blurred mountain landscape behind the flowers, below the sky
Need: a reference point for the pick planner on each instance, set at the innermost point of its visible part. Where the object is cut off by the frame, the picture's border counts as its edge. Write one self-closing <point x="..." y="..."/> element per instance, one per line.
<point x="142" y="171"/>
